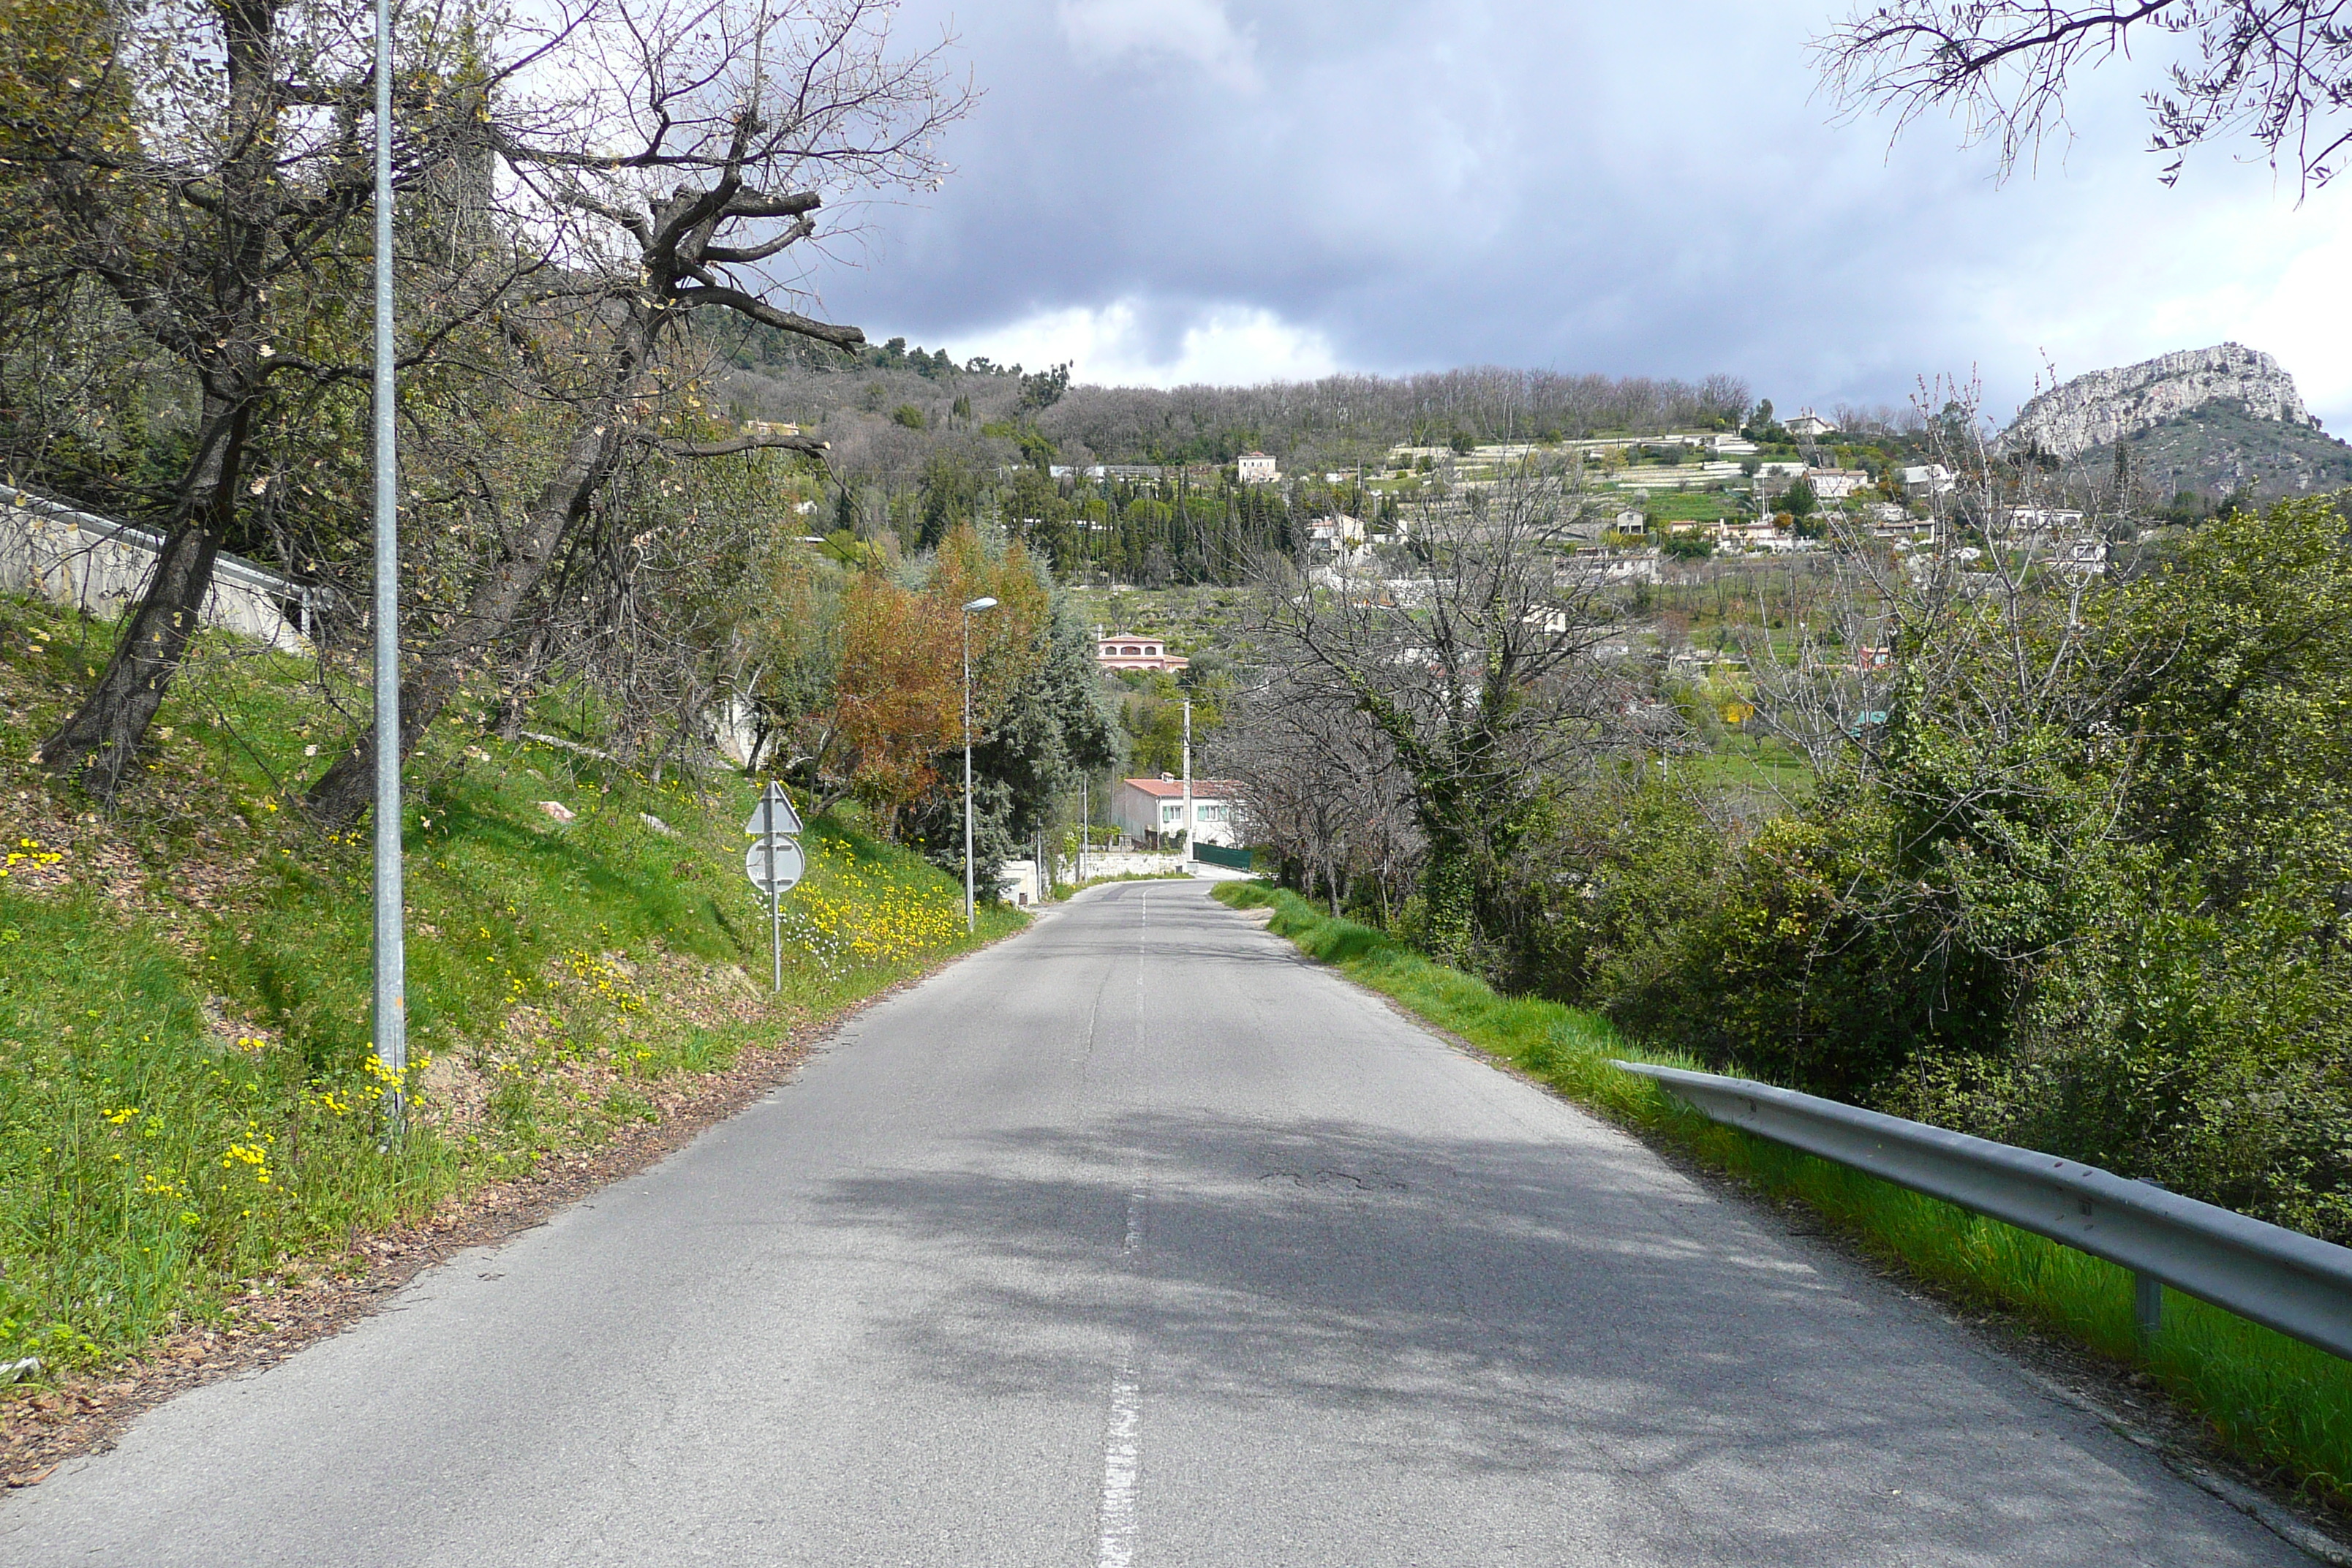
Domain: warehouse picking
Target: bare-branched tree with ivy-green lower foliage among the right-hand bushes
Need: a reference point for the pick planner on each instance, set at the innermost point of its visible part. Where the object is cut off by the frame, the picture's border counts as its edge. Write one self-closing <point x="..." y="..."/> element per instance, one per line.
<point x="1967" y="681"/>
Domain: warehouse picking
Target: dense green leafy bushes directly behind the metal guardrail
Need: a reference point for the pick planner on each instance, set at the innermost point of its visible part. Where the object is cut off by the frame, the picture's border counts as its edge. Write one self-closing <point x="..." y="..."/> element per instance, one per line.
<point x="2090" y="887"/>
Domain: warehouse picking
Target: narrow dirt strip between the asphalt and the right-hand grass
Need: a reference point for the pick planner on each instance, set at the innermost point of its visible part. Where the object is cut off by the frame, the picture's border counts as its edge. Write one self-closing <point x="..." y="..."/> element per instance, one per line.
<point x="2050" y="1367"/>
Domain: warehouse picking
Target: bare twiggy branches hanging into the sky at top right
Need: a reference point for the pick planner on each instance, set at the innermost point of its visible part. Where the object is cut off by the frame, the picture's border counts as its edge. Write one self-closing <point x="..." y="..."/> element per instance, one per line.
<point x="2271" y="72"/>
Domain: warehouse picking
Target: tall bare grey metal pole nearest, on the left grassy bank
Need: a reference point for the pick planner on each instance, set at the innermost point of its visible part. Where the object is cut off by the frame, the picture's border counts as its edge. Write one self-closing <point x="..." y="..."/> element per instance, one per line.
<point x="392" y="1000"/>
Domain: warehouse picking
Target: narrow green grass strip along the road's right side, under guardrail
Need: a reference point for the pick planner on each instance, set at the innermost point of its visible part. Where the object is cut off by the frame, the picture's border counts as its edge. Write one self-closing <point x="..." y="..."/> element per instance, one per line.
<point x="2271" y="1400"/>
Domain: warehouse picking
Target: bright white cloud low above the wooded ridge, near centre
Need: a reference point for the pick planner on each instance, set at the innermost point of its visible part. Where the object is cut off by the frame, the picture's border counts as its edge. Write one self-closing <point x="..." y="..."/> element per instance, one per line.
<point x="1114" y="347"/>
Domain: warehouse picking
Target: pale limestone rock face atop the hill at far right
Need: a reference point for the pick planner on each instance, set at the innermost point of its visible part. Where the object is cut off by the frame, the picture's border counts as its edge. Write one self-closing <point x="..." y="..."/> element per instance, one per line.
<point x="2111" y="406"/>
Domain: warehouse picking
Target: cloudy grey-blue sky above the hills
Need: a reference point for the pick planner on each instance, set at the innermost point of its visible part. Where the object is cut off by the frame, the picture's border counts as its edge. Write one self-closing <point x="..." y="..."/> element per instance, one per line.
<point x="1271" y="189"/>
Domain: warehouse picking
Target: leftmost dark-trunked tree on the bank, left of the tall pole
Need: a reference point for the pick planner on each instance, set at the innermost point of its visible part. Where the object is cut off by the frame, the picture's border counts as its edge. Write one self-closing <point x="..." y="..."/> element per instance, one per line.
<point x="203" y="163"/>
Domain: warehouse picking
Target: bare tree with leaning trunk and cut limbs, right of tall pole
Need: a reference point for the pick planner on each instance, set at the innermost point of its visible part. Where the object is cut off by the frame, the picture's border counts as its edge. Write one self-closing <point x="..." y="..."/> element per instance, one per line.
<point x="688" y="149"/>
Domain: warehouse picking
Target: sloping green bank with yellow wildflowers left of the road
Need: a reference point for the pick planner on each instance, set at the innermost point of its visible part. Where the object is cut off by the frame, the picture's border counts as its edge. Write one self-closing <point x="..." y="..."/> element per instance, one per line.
<point x="187" y="1078"/>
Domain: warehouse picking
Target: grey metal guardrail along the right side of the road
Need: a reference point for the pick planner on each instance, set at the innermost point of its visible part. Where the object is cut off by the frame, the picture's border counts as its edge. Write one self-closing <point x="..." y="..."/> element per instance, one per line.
<point x="2264" y="1273"/>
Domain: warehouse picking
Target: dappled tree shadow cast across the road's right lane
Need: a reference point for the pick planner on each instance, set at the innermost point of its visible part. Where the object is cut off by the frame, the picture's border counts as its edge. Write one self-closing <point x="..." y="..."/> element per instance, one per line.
<point x="1565" y="1315"/>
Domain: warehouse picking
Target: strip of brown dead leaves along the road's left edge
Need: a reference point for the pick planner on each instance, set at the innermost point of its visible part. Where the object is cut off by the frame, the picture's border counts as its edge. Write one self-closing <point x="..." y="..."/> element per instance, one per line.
<point x="88" y="1412"/>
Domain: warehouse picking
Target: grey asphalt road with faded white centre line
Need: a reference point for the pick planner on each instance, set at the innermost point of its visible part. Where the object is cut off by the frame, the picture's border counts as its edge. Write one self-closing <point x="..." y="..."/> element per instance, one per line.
<point x="1140" y="1240"/>
